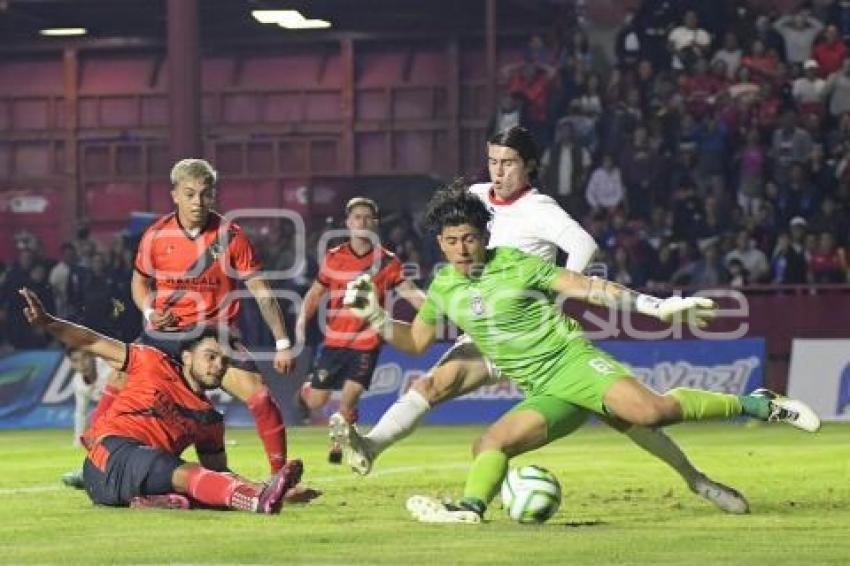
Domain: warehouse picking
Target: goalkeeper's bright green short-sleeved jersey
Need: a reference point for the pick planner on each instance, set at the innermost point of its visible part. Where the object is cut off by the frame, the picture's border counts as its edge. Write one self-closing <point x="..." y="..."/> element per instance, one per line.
<point x="509" y="313"/>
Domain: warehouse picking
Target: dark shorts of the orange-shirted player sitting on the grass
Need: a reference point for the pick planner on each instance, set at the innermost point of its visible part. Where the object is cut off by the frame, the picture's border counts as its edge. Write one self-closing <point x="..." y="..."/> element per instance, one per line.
<point x="129" y="469"/>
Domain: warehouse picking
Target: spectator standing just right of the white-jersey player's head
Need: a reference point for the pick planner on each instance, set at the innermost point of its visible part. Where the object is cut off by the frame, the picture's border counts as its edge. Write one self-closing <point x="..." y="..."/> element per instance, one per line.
<point x="565" y="167"/>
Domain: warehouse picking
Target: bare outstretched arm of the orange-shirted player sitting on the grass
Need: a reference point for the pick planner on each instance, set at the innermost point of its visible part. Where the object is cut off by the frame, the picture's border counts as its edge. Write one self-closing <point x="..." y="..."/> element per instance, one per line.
<point x="73" y="335"/>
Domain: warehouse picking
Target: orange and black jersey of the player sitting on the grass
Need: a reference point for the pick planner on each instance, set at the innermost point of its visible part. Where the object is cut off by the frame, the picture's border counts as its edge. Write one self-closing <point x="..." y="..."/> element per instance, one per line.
<point x="159" y="409"/>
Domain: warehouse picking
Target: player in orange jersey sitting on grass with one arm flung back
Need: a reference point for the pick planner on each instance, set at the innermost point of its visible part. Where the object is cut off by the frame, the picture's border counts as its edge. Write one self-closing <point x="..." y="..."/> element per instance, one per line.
<point x="134" y="449"/>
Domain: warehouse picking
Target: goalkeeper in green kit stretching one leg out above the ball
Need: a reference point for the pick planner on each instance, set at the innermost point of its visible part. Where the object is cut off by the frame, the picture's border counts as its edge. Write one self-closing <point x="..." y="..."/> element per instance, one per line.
<point x="499" y="297"/>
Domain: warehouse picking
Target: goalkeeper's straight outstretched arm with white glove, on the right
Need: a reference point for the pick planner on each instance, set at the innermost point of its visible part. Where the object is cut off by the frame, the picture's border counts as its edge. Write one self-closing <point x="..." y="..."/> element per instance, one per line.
<point x="602" y="292"/>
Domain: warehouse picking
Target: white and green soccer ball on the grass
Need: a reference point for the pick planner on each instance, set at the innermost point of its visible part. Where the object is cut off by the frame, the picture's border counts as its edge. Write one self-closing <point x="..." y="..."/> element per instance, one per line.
<point x="531" y="494"/>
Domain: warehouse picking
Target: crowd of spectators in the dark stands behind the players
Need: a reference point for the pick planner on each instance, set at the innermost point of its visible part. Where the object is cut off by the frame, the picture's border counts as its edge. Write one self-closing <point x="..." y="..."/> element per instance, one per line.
<point x="714" y="150"/>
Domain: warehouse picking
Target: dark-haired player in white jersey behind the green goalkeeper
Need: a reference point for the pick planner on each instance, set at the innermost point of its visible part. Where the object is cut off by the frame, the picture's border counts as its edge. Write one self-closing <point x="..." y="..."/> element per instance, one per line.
<point x="533" y="222"/>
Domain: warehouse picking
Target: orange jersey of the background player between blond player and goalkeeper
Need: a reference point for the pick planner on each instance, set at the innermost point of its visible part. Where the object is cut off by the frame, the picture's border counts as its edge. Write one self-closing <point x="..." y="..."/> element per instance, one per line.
<point x="341" y="265"/>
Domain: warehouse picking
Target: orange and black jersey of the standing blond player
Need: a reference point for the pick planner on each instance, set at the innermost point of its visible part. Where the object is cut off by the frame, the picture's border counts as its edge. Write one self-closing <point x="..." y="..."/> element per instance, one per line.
<point x="194" y="276"/>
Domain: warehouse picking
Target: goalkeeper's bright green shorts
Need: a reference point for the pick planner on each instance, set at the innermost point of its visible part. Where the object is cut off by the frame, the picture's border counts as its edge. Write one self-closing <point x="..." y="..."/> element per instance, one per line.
<point x="583" y="378"/>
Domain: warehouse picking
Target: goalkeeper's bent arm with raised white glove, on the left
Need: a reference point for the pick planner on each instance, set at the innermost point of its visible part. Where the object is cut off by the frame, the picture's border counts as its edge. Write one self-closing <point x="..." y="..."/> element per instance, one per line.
<point x="413" y="338"/>
